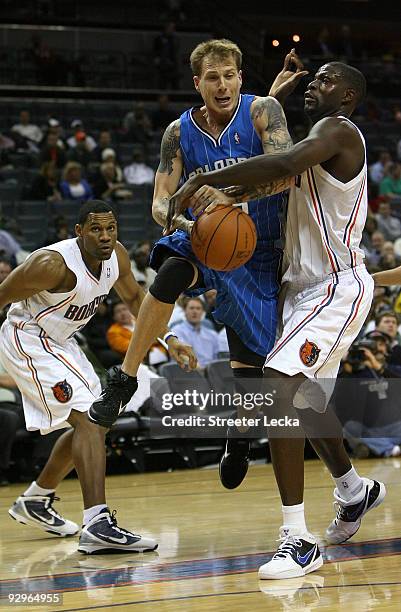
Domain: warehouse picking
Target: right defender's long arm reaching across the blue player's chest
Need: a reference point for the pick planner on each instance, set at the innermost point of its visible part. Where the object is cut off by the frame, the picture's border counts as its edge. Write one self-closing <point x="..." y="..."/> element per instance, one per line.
<point x="327" y="138"/>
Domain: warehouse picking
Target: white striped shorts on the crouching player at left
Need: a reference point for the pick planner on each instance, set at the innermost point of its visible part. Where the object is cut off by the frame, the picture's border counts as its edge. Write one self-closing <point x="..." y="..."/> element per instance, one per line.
<point x="53" y="379"/>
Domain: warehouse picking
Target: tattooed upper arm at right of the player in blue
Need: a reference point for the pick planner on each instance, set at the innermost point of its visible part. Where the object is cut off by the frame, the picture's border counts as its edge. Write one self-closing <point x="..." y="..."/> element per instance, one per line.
<point x="275" y="138"/>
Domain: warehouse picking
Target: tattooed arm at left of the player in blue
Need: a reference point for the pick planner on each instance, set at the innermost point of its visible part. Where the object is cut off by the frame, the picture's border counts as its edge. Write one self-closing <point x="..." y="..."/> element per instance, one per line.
<point x="168" y="176"/>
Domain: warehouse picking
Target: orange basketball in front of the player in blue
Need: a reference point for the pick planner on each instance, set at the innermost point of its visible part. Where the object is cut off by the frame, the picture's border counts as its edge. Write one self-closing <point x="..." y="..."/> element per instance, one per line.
<point x="223" y="239"/>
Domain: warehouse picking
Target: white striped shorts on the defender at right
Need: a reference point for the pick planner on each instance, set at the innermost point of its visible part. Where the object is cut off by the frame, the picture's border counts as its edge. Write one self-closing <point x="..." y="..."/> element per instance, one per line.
<point x="320" y="323"/>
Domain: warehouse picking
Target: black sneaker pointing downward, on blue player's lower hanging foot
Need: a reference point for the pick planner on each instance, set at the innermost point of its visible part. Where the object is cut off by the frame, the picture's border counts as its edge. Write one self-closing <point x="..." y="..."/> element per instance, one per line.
<point x="234" y="463"/>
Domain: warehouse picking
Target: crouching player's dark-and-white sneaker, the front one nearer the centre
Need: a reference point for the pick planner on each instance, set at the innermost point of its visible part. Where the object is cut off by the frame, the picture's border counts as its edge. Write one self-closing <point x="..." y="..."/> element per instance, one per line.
<point x="102" y="535"/>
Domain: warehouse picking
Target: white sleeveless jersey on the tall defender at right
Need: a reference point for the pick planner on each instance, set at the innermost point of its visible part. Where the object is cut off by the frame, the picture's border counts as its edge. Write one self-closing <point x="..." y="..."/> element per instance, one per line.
<point x="325" y="221"/>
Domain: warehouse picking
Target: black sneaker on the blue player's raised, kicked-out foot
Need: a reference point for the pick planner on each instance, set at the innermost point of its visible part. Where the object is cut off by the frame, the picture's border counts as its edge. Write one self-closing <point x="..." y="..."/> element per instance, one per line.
<point x="114" y="398"/>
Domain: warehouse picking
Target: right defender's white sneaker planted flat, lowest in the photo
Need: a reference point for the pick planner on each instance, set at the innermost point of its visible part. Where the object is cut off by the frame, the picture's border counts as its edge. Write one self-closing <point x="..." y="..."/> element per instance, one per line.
<point x="297" y="555"/>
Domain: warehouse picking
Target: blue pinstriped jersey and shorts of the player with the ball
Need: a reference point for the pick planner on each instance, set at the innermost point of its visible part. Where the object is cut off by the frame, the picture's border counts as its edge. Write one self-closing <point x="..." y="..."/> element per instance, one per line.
<point x="246" y="297"/>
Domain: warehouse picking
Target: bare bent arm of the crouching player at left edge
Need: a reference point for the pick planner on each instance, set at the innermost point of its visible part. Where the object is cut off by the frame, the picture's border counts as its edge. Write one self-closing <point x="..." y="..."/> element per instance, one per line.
<point x="44" y="270"/>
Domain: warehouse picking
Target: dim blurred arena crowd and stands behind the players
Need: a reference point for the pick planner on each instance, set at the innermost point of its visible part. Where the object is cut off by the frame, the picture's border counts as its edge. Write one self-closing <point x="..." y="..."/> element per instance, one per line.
<point x="87" y="89"/>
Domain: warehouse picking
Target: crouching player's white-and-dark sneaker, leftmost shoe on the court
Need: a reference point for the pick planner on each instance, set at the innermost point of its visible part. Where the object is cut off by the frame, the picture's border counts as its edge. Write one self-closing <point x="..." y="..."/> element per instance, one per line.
<point x="38" y="511"/>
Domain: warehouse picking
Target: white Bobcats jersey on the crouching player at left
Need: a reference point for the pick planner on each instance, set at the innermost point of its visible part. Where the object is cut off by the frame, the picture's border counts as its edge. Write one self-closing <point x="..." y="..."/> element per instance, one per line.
<point x="60" y="315"/>
